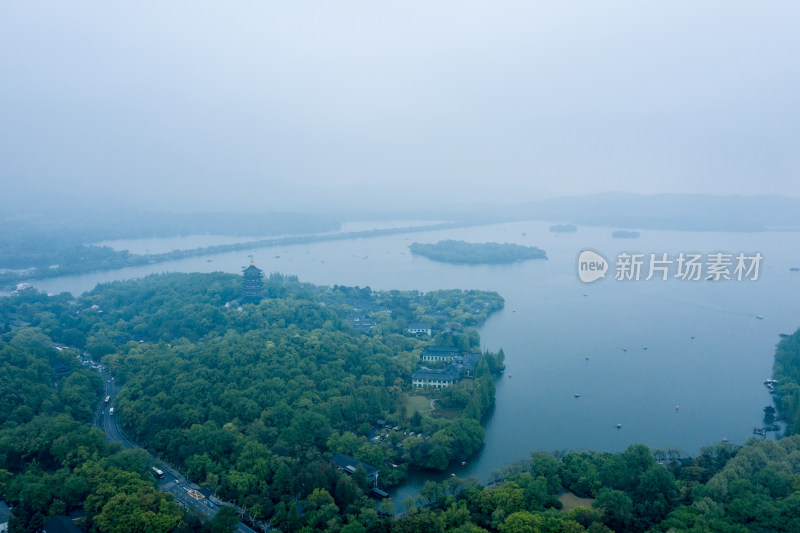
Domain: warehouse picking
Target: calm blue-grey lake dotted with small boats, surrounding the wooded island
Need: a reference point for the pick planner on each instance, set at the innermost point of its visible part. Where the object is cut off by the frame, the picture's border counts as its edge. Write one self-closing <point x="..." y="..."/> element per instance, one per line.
<point x="552" y="322"/>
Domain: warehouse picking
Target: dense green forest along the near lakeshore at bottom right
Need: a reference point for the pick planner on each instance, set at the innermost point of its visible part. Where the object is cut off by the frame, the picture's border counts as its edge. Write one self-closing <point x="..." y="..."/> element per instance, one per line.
<point x="724" y="489"/>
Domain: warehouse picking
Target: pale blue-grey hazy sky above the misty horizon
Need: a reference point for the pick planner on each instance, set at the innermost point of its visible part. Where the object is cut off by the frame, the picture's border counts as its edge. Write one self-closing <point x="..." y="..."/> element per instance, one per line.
<point x="272" y="105"/>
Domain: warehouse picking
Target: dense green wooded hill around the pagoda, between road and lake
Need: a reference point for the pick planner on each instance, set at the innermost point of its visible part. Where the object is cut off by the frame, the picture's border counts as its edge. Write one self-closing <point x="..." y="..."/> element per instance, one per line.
<point x="253" y="400"/>
